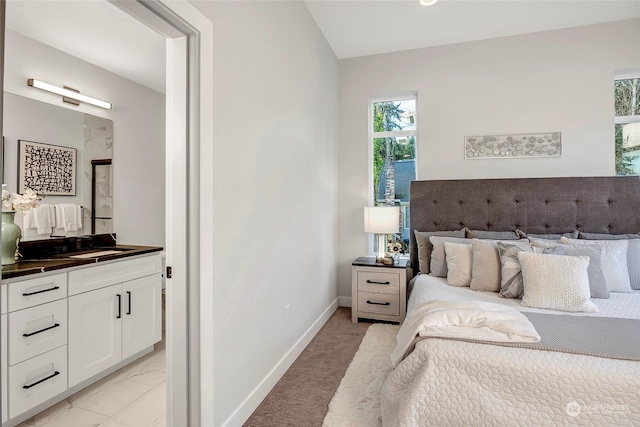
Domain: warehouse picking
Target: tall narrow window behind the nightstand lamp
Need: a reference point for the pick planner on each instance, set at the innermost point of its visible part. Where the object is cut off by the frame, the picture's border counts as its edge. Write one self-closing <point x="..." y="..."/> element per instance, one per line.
<point x="393" y="134"/>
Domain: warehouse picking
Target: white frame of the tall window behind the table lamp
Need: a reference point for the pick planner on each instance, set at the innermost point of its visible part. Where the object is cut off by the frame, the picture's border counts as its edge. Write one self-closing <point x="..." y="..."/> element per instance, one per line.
<point x="389" y="134"/>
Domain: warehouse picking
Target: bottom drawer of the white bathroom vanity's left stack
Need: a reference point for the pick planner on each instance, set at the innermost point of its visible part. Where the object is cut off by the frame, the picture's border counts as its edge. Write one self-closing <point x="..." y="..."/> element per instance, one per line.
<point x="50" y="367"/>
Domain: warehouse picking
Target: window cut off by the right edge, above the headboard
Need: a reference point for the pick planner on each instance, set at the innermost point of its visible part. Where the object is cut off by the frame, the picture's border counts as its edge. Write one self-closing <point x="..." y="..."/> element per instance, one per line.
<point x="627" y="124"/>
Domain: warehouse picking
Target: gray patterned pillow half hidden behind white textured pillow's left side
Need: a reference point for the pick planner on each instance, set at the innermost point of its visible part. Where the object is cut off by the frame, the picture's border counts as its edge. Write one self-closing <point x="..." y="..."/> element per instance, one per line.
<point x="511" y="284"/>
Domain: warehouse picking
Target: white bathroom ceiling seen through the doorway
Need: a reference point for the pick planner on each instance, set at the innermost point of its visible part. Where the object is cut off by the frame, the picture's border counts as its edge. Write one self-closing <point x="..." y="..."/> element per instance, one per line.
<point x="95" y="31"/>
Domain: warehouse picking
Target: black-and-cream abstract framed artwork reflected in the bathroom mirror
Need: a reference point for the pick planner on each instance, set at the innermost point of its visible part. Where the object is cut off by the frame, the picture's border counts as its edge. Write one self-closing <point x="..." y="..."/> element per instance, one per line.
<point x="46" y="169"/>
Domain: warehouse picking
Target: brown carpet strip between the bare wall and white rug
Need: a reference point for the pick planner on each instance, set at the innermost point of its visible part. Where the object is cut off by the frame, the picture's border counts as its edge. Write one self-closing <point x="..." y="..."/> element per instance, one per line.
<point x="302" y="395"/>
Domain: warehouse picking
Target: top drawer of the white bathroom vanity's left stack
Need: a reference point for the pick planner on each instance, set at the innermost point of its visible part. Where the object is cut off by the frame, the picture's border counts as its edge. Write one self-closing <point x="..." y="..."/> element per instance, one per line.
<point x="28" y="293"/>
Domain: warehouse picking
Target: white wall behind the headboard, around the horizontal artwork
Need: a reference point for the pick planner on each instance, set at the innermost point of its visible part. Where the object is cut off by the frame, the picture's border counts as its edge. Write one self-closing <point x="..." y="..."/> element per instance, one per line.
<point x="555" y="81"/>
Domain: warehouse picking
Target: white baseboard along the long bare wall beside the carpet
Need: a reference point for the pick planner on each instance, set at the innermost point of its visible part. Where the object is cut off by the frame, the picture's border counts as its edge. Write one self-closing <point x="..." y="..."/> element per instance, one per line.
<point x="246" y="408"/>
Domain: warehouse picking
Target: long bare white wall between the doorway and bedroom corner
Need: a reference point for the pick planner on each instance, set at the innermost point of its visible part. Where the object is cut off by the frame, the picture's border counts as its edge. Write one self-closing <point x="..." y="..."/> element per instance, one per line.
<point x="275" y="193"/>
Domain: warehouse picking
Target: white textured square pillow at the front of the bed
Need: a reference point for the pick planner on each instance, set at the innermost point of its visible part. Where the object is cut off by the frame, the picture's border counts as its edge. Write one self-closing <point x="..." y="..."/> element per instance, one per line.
<point x="556" y="282"/>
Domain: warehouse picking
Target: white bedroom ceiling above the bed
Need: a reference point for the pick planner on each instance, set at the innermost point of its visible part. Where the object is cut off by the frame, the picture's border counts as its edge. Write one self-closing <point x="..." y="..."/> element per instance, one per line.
<point x="358" y="28"/>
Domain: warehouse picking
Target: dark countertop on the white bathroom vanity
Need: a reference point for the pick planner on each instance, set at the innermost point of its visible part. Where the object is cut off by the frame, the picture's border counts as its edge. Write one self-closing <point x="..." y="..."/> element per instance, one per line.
<point x="27" y="267"/>
